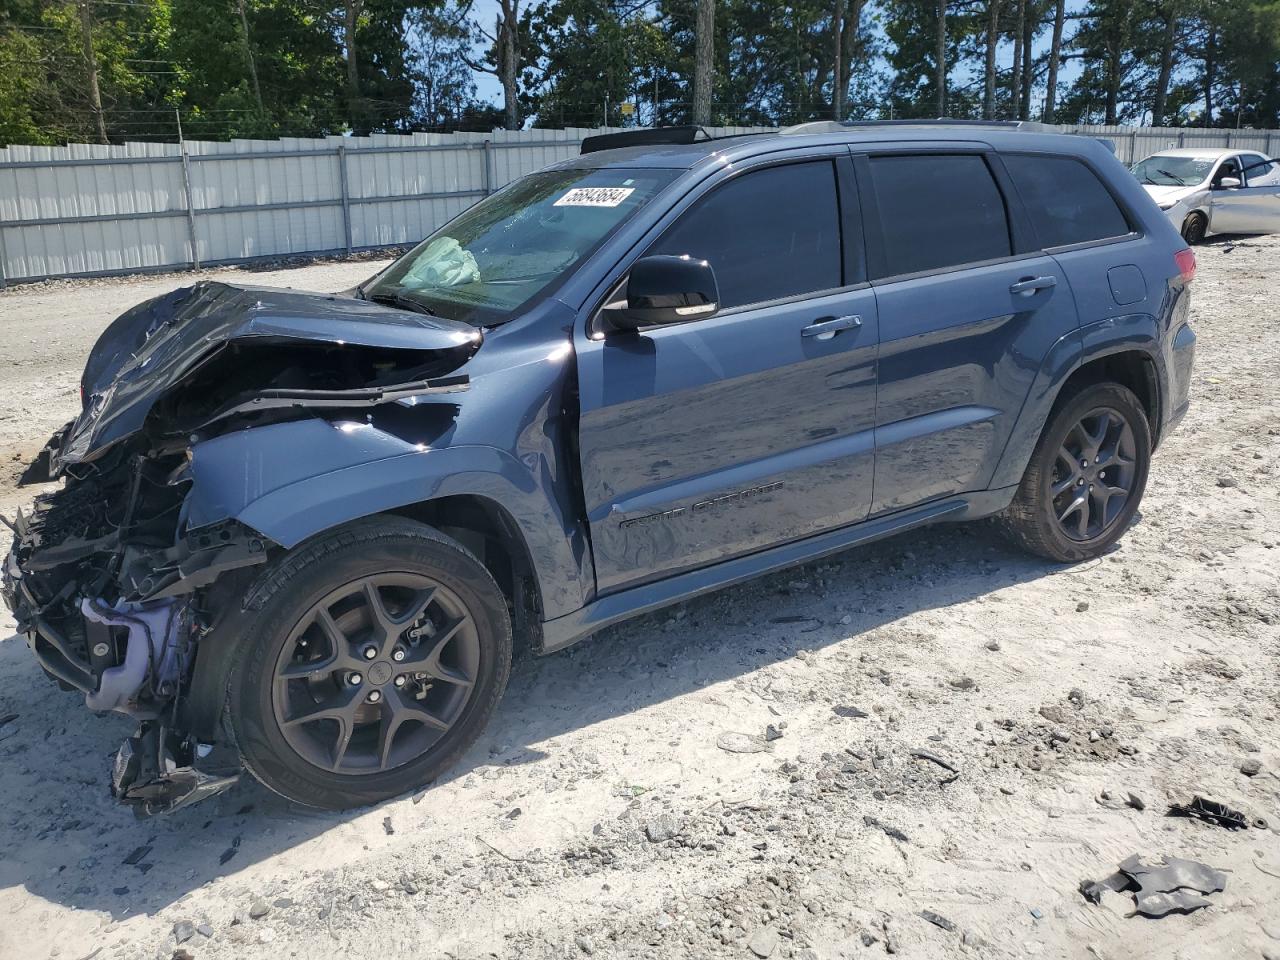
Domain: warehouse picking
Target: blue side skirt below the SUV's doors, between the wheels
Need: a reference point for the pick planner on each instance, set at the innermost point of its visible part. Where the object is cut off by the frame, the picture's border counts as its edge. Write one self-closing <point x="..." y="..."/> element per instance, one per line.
<point x="568" y="630"/>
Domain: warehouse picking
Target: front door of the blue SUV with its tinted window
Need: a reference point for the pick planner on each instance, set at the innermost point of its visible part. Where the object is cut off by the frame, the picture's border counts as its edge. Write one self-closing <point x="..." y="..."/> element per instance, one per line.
<point x="726" y="436"/>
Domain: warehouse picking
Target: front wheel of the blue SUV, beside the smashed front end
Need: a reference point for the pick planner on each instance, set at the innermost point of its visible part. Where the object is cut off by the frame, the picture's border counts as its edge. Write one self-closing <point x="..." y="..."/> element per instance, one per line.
<point x="376" y="659"/>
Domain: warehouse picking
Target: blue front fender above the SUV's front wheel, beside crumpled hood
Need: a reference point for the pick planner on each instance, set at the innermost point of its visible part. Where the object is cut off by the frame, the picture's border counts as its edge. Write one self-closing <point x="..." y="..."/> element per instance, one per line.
<point x="298" y="479"/>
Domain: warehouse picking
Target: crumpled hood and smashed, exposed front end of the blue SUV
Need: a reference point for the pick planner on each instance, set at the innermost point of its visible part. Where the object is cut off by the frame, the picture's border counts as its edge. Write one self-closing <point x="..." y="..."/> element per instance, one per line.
<point x="111" y="578"/>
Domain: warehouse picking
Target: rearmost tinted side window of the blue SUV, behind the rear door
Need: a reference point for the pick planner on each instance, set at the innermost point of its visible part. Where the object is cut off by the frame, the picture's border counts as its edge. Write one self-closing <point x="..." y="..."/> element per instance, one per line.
<point x="1066" y="200"/>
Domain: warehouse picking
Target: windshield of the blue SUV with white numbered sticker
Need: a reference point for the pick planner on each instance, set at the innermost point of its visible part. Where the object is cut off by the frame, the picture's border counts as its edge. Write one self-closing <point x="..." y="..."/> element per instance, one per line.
<point x="518" y="245"/>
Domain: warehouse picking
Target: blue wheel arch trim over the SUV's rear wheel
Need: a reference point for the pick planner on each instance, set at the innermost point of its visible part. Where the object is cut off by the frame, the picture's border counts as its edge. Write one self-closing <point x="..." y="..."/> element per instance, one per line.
<point x="1116" y="335"/>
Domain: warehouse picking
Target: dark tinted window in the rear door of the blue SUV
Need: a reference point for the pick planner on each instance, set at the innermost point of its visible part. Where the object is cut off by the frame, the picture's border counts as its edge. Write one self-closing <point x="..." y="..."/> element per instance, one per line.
<point x="939" y="211"/>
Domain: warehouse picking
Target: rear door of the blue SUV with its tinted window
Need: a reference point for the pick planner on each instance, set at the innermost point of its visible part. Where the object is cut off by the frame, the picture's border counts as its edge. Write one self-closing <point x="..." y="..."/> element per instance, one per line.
<point x="967" y="310"/>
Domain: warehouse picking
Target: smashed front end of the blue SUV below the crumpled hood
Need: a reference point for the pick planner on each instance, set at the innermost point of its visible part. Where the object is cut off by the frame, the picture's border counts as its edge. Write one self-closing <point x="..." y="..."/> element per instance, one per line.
<point x="107" y="593"/>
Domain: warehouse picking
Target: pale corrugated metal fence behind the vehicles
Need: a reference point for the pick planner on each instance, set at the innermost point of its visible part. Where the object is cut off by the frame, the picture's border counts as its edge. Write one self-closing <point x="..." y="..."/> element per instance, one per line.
<point x="90" y="209"/>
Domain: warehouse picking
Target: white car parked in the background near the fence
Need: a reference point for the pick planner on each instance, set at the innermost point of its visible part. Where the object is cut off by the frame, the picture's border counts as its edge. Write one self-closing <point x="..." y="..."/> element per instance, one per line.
<point x="1209" y="191"/>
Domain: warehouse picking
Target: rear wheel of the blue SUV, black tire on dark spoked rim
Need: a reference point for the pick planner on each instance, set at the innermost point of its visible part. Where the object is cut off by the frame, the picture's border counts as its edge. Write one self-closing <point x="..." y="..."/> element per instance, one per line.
<point x="1036" y="518"/>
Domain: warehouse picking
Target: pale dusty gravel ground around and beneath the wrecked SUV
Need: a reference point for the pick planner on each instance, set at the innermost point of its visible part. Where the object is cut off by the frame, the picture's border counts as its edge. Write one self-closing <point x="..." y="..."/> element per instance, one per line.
<point x="743" y="776"/>
